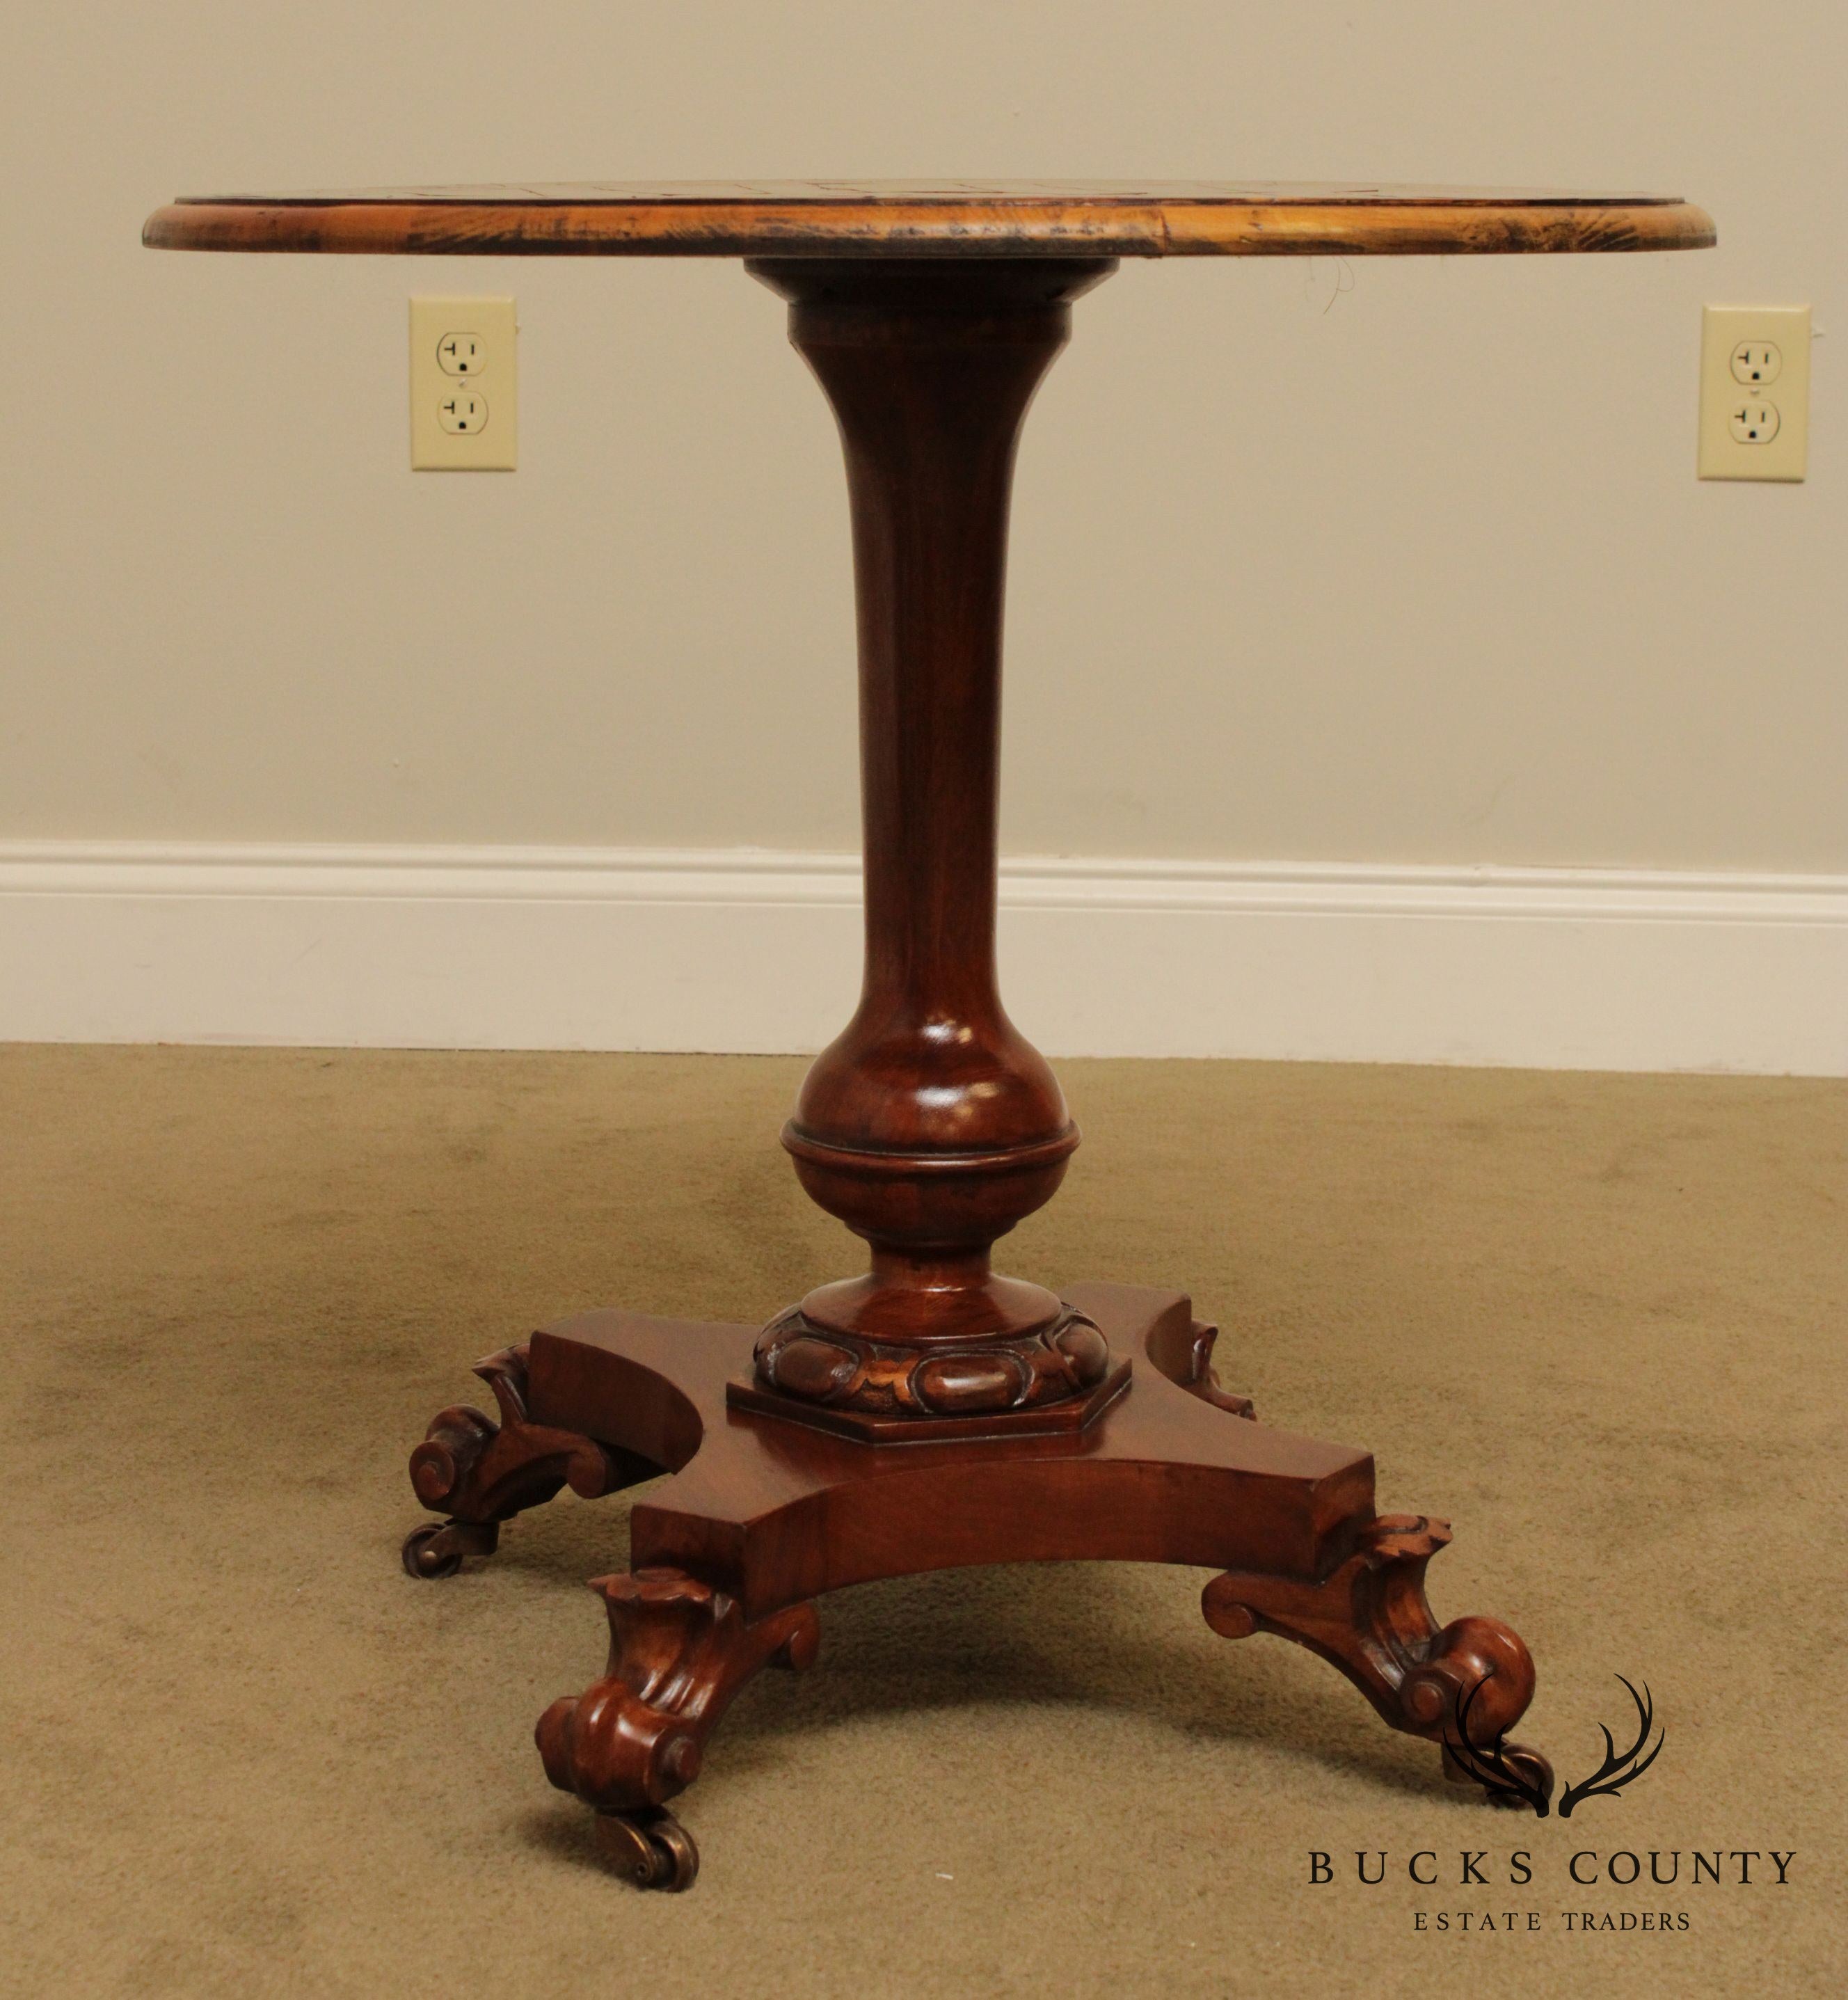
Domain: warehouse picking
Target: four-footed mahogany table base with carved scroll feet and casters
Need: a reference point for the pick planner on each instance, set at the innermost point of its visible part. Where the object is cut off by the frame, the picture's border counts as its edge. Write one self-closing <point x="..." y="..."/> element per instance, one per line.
<point x="769" y="1515"/>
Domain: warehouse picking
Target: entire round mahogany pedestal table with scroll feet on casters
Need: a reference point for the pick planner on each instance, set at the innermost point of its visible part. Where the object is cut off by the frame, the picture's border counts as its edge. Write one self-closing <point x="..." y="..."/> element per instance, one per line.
<point x="931" y="1413"/>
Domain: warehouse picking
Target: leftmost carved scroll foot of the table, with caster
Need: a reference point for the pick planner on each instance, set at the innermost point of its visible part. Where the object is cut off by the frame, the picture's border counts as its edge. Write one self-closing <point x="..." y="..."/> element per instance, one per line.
<point x="483" y="1473"/>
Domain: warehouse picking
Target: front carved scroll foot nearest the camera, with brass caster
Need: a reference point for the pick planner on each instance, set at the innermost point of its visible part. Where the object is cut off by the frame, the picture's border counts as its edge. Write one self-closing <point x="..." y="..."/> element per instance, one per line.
<point x="633" y="1741"/>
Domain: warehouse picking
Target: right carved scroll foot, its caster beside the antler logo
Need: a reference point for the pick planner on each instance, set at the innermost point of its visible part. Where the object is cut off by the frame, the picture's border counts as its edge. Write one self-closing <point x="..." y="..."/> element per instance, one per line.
<point x="1465" y="1687"/>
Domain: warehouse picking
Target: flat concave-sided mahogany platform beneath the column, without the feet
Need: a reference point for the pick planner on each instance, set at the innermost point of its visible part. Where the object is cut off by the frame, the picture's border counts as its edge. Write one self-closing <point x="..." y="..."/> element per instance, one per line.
<point x="1161" y="1477"/>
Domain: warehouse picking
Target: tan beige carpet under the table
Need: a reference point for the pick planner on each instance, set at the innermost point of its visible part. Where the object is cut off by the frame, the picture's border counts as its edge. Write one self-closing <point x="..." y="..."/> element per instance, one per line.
<point x="1597" y="1321"/>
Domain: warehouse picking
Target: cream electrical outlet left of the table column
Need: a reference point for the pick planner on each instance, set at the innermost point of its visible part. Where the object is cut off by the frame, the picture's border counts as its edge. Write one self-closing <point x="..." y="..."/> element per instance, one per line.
<point x="465" y="385"/>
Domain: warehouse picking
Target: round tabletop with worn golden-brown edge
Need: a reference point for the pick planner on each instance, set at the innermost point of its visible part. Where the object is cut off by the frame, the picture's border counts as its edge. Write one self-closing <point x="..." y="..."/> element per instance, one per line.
<point x="923" y="219"/>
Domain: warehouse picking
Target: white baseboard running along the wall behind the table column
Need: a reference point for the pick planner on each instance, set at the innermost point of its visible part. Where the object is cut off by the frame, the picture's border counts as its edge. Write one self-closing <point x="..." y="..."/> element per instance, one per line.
<point x="759" y="953"/>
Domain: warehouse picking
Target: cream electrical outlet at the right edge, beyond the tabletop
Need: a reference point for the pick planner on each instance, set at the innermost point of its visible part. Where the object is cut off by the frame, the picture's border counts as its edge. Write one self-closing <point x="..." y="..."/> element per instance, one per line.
<point x="1755" y="393"/>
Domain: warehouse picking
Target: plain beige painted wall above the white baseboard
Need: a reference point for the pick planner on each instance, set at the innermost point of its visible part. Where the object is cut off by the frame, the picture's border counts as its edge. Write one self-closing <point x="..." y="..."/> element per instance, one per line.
<point x="1375" y="561"/>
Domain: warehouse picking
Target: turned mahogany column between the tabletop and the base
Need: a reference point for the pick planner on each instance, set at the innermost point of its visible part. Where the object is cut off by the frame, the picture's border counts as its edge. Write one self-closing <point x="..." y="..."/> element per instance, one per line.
<point x="931" y="1125"/>
